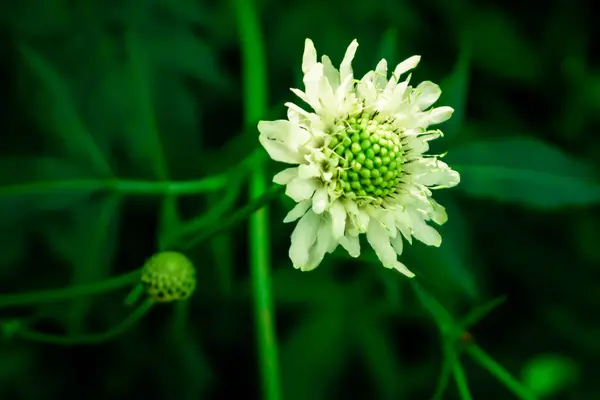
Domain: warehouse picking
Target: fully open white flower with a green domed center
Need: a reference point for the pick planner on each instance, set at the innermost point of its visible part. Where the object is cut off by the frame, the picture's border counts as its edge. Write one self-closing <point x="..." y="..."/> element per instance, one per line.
<point x="359" y="162"/>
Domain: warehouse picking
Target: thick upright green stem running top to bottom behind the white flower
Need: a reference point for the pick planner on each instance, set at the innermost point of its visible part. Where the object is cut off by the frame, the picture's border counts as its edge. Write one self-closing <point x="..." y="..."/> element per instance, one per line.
<point x="255" y="102"/>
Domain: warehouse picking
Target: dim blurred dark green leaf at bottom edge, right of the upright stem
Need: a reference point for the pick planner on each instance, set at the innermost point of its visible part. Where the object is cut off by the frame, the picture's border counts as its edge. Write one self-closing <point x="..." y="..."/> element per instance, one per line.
<point x="314" y="355"/>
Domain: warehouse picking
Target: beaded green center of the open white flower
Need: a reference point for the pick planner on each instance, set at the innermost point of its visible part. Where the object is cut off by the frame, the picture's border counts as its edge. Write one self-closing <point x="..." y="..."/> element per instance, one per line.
<point x="371" y="158"/>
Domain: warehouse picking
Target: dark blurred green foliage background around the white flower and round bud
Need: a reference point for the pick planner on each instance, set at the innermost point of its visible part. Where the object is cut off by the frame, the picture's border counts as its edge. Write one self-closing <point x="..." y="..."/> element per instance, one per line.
<point x="109" y="105"/>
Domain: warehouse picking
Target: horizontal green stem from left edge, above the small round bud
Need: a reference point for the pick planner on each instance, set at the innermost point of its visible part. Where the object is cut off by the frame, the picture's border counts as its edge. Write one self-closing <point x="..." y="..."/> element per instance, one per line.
<point x="122" y="186"/>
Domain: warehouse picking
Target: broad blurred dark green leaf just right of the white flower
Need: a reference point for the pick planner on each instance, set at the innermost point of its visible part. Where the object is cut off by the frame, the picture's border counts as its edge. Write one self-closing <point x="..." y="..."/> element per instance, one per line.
<point x="524" y="171"/>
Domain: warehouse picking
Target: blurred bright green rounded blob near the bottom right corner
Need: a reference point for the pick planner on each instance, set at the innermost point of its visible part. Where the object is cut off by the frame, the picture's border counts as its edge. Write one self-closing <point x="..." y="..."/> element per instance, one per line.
<point x="549" y="374"/>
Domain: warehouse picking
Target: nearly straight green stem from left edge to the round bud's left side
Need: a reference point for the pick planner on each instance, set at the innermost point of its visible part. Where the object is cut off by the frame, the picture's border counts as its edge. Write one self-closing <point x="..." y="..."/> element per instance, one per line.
<point x="56" y="295"/>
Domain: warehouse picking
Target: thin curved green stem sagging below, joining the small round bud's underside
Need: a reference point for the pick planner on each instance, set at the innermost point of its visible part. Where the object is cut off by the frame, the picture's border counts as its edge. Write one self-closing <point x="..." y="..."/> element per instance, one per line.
<point x="92" y="338"/>
